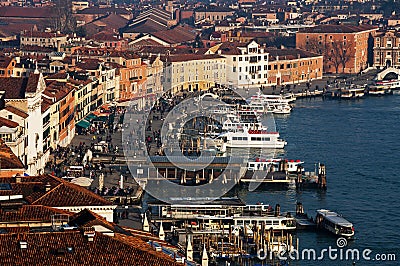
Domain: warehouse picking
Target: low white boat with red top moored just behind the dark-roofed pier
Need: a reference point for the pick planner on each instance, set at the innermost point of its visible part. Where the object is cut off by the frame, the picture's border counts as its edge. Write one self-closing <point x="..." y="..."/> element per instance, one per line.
<point x="266" y="164"/>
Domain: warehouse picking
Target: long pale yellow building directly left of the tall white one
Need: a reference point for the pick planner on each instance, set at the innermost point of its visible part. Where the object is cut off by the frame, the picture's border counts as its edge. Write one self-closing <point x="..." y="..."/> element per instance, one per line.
<point x="193" y="72"/>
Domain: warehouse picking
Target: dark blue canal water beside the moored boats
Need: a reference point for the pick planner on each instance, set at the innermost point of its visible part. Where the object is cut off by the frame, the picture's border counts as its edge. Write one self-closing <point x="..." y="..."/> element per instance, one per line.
<point x="358" y="141"/>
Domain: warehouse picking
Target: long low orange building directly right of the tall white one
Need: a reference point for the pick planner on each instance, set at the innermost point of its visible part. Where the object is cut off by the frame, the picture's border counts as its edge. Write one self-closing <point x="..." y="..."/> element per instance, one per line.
<point x="293" y="66"/>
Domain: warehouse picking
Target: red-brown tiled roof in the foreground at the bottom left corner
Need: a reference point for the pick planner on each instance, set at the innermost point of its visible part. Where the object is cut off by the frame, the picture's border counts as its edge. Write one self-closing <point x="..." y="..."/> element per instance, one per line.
<point x="73" y="248"/>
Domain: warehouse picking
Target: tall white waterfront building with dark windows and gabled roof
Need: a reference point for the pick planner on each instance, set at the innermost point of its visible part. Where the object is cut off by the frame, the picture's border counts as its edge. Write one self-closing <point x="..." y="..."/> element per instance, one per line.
<point x="247" y="63"/>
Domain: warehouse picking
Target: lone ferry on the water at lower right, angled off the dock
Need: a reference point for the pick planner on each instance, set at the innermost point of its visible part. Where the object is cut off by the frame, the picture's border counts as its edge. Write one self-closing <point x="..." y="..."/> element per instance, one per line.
<point x="334" y="223"/>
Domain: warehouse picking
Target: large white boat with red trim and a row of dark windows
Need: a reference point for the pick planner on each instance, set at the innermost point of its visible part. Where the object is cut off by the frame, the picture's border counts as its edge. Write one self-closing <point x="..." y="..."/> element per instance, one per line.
<point x="252" y="138"/>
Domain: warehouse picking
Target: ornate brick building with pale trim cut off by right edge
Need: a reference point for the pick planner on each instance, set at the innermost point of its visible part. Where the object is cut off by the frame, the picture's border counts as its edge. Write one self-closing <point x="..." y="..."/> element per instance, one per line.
<point x="387" y="49"/>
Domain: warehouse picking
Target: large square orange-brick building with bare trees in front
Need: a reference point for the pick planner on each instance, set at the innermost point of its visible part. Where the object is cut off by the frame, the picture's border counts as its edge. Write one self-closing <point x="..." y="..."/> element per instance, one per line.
<point x="345" y="48"/>
